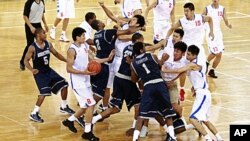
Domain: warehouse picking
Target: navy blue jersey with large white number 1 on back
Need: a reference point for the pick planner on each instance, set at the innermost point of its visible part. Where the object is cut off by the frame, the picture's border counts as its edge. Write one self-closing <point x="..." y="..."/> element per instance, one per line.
<point x="146" y="67"/>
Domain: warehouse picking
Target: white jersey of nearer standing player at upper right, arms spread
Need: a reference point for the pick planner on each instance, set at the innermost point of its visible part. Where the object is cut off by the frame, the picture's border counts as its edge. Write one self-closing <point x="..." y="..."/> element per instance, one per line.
<point x="193" y="29"/>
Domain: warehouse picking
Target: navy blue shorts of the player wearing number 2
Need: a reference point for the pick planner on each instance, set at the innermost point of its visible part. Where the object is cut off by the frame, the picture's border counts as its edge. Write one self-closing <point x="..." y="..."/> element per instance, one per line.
<point x="99" y="82"/>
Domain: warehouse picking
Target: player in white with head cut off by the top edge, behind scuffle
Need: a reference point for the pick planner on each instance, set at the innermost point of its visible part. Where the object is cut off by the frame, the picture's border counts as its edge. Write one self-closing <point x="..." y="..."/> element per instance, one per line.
<point x="163" y="14"/>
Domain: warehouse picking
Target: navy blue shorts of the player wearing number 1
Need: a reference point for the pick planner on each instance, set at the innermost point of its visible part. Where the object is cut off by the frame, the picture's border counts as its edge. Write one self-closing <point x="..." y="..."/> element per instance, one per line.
<point x="156" y="98"/>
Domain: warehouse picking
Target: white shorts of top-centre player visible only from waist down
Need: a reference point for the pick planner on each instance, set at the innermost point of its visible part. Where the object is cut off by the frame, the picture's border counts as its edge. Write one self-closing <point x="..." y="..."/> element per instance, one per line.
<point x="129" y="6"/>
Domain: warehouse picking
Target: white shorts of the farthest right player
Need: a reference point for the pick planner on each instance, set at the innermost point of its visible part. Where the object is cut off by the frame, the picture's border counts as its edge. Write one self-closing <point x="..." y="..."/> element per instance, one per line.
<point x="216" y="46"/>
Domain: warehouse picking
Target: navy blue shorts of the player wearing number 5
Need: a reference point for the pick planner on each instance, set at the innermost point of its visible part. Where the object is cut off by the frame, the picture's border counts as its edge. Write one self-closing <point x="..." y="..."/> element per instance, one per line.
<point x="49" y="81"/>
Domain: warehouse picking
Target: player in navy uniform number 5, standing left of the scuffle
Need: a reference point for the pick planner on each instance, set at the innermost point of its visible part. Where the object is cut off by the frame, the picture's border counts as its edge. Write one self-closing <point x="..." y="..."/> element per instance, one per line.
<point x="46" y="78"/>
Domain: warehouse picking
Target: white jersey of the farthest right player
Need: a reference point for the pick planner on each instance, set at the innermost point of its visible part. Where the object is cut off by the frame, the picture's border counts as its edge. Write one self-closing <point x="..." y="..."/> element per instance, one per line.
<point x="217" y="15"/>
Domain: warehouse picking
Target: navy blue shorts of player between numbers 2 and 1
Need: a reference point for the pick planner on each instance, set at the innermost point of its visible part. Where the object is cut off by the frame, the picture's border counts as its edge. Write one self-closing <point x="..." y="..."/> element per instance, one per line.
<point x="124" y="90"/>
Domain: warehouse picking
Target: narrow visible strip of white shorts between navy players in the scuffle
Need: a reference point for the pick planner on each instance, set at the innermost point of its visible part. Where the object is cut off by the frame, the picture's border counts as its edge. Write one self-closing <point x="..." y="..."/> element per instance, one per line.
<point x="113" y="69"/>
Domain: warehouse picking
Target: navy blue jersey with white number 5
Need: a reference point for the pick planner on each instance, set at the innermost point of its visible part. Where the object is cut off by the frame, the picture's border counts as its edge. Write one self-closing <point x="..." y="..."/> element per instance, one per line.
<point x="41" y="57"/>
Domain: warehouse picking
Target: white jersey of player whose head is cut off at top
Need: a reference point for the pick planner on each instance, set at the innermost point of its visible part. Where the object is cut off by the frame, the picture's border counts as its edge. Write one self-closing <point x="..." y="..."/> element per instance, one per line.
<point x="163" y="9"/>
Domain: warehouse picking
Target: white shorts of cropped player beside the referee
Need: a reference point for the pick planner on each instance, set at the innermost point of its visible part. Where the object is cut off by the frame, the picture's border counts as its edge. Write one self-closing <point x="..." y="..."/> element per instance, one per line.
<point x="65" y="9"/>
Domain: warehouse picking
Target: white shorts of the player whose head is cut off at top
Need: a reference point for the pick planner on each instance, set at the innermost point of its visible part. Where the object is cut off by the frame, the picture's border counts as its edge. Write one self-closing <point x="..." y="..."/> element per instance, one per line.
<point x="160" y="29"/>
